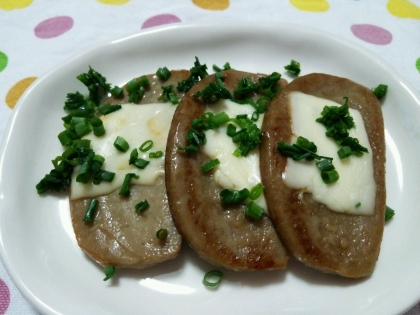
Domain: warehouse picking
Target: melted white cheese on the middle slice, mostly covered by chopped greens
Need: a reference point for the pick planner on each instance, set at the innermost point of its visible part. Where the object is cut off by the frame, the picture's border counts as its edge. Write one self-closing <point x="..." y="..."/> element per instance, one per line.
<point x="234" y="173"/>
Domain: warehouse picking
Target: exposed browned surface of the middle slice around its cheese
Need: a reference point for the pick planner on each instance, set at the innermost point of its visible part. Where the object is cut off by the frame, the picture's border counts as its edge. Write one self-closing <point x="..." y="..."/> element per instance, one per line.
<point x="224" y="236"/>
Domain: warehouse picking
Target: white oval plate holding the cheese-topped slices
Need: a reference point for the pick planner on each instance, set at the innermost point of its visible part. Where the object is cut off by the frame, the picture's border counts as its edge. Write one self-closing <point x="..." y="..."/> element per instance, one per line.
<point x="39" y="249"/>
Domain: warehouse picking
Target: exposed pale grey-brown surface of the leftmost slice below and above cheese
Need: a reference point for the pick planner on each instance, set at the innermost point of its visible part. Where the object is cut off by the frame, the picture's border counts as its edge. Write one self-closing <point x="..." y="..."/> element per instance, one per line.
<point x="119" y="236"/>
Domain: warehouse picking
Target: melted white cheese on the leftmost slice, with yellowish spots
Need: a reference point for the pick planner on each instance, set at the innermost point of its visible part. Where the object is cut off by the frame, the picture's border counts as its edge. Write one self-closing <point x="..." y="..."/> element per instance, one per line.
<point x="136" y="124"/>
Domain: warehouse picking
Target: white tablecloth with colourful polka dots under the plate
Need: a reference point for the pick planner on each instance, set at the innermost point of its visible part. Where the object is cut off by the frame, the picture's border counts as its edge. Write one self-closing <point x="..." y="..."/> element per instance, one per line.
<point x="37" y="35"/>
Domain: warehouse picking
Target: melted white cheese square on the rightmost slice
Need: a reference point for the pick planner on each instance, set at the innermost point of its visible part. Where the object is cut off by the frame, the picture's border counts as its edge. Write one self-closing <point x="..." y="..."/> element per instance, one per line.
<point x="356" y="184"/>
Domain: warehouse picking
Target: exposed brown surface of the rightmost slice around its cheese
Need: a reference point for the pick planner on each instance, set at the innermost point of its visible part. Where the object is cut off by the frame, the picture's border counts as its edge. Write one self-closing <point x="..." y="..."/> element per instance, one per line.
<point x="333" y="242"/>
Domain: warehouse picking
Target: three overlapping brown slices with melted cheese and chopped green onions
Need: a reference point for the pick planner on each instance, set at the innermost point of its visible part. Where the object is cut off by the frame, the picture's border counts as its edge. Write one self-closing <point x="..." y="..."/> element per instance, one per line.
<point x="247" y="168"/>
